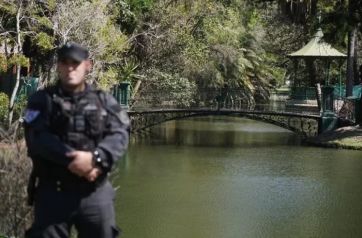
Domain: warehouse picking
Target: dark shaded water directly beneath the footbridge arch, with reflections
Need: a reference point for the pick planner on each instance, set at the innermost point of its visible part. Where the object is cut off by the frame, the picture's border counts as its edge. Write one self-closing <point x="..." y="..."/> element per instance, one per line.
<point x="219" y="131"/>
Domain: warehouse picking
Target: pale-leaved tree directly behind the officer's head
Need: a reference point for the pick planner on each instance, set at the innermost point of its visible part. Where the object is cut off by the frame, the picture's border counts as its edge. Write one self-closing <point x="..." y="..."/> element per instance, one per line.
<point x="72" y="21"/>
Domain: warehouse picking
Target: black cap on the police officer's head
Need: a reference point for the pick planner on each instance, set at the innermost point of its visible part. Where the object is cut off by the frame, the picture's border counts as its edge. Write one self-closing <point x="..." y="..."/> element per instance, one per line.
<point x="72" y="51"/>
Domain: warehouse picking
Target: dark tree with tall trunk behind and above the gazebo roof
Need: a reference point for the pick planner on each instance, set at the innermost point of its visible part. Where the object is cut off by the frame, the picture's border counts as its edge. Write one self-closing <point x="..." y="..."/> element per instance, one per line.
<point x="343" y="19"/>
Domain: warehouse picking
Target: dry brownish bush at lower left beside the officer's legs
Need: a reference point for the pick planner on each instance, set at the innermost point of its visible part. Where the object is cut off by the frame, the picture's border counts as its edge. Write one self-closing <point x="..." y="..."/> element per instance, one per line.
<point x="15" y="168"/>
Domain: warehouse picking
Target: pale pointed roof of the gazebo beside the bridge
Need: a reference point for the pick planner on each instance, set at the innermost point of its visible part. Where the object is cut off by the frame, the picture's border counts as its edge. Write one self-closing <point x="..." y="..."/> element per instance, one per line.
<point x="317" y="48"/>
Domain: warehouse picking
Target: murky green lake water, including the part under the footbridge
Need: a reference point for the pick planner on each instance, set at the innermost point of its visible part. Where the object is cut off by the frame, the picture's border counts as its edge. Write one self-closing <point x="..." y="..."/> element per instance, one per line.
<point x="220" y="177"/>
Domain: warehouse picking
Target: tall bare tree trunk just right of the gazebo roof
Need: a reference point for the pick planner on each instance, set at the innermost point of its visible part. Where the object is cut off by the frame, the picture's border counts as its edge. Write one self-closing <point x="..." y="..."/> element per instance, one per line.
<point x="352" y="36"/>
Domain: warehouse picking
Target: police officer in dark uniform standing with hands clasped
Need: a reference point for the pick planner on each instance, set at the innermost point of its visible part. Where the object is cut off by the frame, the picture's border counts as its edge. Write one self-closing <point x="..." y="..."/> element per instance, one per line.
<point x="74" y="134"/>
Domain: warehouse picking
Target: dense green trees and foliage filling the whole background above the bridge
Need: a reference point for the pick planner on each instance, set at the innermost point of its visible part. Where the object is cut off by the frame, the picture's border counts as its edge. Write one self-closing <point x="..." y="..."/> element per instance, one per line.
<point x="188" y="48"/>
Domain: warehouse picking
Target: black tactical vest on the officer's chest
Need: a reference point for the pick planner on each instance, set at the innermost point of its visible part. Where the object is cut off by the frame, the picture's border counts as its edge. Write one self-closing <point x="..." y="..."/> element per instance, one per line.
<point x="78" y="121"/>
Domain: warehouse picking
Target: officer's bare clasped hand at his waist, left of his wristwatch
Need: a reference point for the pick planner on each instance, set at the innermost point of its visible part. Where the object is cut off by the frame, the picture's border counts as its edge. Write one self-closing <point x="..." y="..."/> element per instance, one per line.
<point x="81" y="162"/>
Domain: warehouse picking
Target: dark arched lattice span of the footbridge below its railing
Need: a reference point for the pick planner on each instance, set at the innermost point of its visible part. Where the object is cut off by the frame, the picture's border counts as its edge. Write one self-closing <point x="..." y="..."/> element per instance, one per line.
<point x="304" y="124"/>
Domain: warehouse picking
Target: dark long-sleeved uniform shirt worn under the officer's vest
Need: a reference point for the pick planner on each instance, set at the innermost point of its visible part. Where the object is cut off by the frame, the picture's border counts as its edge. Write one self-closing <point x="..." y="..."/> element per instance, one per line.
<point x="49" y="148"/>
